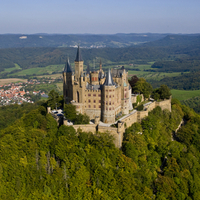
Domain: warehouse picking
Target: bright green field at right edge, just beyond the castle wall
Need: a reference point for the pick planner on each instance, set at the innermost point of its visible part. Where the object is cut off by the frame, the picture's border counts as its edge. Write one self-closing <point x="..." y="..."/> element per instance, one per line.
<point x="184" y="94"/>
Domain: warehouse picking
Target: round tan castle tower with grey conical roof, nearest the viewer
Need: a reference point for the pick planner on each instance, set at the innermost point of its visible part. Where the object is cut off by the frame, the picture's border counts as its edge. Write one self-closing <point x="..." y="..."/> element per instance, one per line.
<point x="108" y="100"/>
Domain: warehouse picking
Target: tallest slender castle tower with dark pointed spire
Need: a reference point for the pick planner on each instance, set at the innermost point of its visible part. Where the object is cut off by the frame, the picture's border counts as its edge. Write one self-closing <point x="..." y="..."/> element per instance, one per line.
<point x="78" y="65"/>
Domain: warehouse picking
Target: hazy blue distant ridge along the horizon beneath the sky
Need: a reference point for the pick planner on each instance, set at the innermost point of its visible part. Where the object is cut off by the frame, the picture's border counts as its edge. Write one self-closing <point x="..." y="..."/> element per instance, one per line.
<point x="71" y="40"/>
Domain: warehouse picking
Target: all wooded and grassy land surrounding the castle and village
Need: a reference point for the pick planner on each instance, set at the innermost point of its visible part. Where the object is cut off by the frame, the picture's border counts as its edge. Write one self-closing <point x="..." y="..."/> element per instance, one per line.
<point x="41" y="160"/>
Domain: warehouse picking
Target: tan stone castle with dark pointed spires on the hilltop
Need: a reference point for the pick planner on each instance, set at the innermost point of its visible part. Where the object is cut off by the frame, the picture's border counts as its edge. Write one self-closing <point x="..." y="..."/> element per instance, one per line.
<point x="95" y="93"/>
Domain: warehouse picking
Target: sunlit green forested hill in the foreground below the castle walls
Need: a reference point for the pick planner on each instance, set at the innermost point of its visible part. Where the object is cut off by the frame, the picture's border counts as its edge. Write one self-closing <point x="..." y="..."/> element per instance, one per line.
<point x="42" y="161"/>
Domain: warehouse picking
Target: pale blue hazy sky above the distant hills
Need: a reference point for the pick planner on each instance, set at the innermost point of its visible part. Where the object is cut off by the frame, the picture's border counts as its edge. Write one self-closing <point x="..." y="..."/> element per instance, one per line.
<point x="99" y="16"/>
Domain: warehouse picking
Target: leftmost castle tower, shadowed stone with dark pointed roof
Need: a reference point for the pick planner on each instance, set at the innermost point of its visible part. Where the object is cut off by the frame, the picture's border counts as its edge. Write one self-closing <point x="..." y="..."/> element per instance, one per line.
<point x="67" y="83"/>
